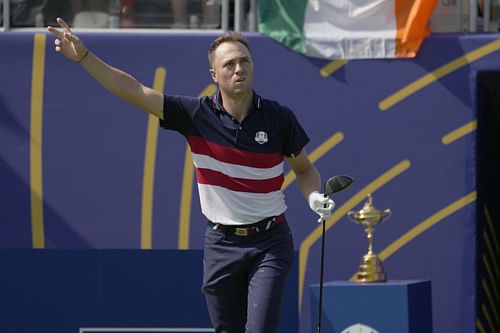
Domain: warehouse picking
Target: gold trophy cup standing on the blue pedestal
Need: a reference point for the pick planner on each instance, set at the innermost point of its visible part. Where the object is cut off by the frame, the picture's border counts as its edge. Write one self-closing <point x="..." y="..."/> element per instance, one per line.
<point x="370" y="269"/>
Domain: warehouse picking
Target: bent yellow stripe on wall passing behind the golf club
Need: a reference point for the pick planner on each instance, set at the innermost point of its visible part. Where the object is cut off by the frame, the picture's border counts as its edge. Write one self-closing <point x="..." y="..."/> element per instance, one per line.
<point x="309" y="241"/>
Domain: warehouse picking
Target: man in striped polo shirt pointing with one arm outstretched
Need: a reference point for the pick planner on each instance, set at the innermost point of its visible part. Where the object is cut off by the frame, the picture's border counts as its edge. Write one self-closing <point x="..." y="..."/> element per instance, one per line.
<point x="239" y="142"/>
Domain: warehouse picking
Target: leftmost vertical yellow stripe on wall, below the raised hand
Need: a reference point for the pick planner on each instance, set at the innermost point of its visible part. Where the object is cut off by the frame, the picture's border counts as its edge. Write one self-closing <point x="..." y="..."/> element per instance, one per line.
<point x="37" y="77"/>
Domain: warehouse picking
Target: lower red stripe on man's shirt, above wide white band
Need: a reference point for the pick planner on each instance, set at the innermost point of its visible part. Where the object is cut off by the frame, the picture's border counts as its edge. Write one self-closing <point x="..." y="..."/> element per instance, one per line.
<point x="216" y="178"/>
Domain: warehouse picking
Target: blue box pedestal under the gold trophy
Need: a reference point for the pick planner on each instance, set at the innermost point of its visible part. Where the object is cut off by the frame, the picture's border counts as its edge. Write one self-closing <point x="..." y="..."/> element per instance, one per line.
<point x="391" y="307"/>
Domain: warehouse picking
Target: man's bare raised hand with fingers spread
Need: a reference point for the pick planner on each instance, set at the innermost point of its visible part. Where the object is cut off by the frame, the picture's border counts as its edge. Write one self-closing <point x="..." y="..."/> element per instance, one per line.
<point x="67" y="43"/>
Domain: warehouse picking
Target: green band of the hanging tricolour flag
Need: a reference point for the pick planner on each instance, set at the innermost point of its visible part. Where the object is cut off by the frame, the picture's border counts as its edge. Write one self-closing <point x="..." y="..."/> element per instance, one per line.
<point x="284" y="23"/>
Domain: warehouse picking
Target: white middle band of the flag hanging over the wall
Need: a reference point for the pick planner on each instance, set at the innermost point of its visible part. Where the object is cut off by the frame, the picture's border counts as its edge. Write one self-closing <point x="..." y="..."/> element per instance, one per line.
<point x="347" y="29"/>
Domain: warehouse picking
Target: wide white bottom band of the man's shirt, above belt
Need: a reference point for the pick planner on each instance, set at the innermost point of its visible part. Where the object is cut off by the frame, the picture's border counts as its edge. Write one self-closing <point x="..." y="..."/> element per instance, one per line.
<point x="224" y="206"/>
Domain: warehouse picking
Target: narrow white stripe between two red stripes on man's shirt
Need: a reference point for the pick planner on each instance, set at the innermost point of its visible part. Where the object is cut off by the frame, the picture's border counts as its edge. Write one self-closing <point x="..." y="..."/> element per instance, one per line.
<point x="237" y="171"/>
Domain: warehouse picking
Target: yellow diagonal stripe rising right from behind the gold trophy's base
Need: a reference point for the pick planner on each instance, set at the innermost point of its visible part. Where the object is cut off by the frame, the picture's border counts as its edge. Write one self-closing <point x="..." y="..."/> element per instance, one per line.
<point x="426" y="224"/>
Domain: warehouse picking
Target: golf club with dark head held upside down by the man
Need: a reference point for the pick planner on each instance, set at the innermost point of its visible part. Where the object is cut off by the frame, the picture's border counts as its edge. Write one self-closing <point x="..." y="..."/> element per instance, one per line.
<point x="333" y="185"/>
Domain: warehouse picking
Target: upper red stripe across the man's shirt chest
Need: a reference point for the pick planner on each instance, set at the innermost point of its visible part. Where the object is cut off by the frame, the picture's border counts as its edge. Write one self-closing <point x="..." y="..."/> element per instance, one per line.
<point x="233" y="155"/>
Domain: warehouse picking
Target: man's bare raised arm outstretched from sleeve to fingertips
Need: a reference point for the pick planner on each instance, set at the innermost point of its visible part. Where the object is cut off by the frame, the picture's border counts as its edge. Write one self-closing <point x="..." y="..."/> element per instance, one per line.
<point x="116" y="81"/>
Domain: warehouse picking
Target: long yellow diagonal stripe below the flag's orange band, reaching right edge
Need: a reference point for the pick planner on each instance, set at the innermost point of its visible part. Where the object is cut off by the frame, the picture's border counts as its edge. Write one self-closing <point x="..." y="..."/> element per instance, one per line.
<point x="439" y="73"/>
